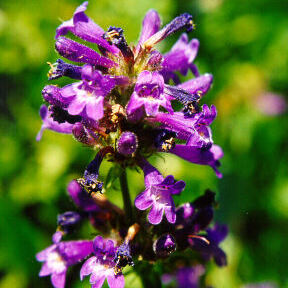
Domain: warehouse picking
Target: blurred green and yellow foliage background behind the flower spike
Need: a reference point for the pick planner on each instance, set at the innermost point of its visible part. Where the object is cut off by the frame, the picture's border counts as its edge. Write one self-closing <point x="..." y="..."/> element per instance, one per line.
<point x="244" y="44"/>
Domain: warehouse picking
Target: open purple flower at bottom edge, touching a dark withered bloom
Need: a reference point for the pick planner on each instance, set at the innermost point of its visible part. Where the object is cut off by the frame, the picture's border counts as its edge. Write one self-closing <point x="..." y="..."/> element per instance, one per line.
<point x="102" y="265"/>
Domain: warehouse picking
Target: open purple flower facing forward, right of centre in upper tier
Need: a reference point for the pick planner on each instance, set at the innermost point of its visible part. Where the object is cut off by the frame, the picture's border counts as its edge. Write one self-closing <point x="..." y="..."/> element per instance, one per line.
<point x="148" y="92"/>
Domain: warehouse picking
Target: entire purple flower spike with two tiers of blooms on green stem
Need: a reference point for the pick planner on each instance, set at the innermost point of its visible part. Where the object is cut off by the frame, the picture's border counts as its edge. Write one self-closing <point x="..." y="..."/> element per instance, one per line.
<point x="123" y="104"/>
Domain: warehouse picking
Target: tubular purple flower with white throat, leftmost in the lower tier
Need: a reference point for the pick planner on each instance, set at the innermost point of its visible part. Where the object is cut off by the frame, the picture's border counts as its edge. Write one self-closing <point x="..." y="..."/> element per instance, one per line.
<point x="58" y="257"/>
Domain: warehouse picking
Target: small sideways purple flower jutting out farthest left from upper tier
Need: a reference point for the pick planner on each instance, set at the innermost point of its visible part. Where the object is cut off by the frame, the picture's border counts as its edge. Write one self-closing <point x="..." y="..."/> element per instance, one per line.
<point x="49" y="123"/>
